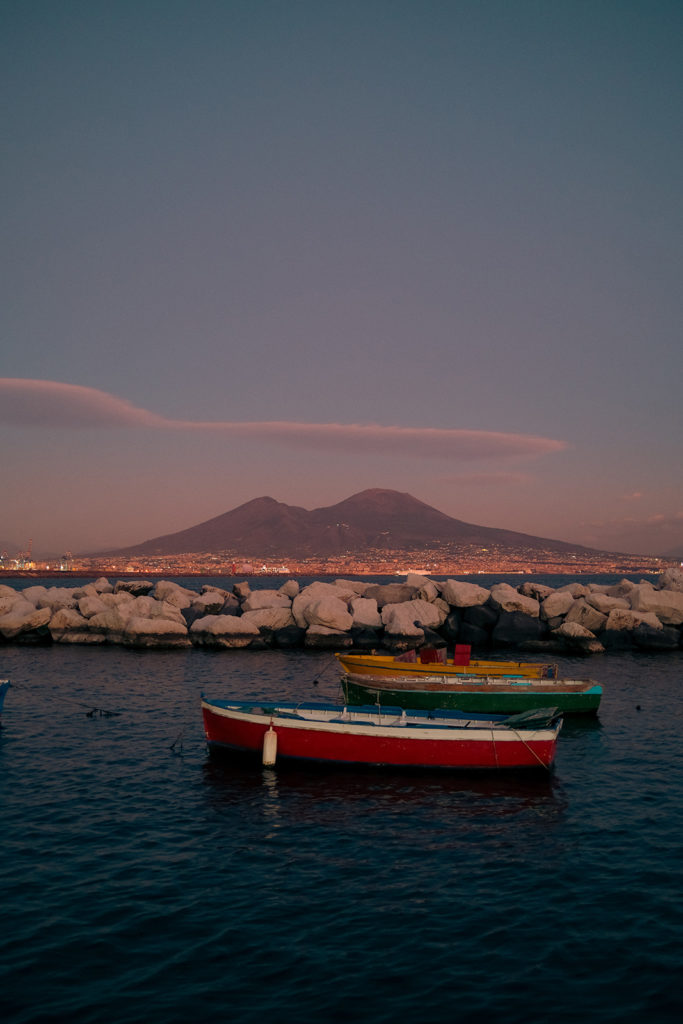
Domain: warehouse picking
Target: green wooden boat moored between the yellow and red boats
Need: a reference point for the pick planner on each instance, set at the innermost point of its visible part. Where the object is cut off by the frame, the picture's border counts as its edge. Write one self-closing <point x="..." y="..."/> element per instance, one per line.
<point x="493" y="695"/>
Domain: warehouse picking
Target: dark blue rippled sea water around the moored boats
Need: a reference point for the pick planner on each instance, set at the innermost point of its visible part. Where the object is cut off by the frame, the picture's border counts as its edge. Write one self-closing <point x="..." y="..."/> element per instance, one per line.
<point x="144" y="881"/>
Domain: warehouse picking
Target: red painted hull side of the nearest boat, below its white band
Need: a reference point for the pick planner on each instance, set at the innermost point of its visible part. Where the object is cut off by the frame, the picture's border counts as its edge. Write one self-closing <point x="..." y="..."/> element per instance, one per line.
<point x="378" y="750"/>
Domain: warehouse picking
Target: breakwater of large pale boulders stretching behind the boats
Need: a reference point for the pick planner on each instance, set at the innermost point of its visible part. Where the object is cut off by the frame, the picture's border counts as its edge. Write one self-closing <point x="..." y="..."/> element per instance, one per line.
<point x="576" y="618"/>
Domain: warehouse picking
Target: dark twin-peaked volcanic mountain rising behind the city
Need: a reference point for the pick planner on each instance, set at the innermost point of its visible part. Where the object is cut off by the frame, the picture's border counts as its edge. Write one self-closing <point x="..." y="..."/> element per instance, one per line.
<point x="371" y="520"/>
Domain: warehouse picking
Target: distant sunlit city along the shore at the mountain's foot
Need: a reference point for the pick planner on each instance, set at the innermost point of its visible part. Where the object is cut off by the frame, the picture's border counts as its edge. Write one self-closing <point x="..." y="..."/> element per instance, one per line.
<point x="447" y="560"/>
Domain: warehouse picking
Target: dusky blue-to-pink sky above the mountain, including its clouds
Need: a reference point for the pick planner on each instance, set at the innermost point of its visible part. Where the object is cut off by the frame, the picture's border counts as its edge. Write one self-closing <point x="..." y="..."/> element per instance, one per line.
<point x="301" y="249"/>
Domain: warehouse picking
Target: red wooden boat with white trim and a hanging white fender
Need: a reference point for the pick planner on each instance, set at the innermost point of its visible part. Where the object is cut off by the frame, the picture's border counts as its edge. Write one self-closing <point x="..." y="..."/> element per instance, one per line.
<point x="388" y="737"/>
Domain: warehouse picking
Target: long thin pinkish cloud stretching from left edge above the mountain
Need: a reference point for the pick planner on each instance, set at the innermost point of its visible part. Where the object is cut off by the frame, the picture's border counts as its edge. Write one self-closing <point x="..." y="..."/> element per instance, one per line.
<point x="54" y="405"/>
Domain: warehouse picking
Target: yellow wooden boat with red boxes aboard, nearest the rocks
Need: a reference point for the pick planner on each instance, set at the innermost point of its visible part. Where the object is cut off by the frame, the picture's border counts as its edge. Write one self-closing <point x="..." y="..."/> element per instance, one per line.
<point x="429" y="662"/>
